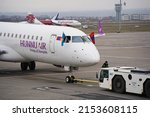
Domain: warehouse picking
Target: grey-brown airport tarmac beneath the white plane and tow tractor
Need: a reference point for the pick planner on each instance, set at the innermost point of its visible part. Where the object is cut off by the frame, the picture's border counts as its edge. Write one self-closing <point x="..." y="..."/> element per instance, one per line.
<point x="47" y="82"/>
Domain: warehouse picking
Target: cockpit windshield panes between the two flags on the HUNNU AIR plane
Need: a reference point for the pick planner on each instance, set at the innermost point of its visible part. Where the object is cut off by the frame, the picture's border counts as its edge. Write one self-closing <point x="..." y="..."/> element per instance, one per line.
<point x="78" y="39"/>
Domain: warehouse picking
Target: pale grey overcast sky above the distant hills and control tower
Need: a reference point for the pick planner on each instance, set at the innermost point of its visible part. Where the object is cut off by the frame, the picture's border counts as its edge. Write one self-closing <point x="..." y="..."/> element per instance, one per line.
<point x="67" y="5"/>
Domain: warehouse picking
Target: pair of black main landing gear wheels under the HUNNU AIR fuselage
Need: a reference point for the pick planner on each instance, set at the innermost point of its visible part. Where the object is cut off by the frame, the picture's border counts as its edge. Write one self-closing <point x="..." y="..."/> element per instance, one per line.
<point x="25" y="65"/>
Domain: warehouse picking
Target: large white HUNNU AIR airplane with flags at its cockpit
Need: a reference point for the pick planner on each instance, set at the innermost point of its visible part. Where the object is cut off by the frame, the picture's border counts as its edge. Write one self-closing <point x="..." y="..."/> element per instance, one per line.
<point x="63" y="46"/>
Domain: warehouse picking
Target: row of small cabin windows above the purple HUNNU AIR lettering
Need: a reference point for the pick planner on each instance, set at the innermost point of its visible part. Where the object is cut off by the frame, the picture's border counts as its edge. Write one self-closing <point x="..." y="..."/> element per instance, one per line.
<point x="21" y="36"/>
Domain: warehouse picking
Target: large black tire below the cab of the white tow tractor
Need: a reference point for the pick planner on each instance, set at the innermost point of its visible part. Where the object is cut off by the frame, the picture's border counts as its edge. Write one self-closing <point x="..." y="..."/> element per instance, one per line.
<point x="118" y="84"/>
